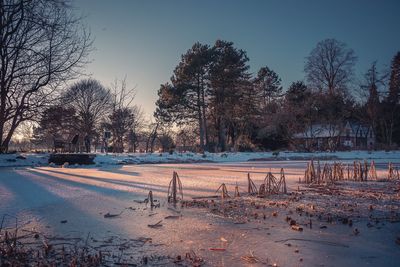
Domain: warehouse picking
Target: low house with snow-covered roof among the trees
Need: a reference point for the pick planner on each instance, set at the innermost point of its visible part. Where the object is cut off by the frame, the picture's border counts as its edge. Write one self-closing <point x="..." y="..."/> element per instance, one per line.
<point x="348" y="136"/>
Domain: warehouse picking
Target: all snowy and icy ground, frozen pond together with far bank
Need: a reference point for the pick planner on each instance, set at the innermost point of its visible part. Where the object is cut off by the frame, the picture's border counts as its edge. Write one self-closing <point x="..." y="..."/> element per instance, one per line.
<point x="73" y="202"/>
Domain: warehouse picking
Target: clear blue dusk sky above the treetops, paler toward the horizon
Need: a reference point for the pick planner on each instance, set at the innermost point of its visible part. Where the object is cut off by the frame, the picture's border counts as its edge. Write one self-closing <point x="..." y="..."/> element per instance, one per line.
<point x="144" y="39"/>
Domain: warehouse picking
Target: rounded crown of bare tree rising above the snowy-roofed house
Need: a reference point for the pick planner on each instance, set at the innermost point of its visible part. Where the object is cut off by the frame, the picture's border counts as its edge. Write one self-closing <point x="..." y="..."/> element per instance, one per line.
<point x="329" y="66"/>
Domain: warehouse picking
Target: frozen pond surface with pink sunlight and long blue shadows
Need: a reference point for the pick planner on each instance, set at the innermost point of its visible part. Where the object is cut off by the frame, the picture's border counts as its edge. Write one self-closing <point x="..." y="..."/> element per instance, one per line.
<point x="43" y="197"/>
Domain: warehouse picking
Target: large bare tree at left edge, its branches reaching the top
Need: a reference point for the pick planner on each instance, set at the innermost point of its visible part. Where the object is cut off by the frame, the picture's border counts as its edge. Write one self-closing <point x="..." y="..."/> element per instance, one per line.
<point x="42" y="45"/>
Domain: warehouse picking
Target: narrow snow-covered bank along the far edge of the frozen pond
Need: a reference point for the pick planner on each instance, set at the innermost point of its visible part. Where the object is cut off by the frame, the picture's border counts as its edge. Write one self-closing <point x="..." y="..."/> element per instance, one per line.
<point x="14" y="160"/>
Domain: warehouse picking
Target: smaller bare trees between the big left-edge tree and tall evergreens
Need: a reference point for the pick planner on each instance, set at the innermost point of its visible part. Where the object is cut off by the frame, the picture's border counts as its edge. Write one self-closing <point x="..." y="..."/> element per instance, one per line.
<point x="88" y="110"/>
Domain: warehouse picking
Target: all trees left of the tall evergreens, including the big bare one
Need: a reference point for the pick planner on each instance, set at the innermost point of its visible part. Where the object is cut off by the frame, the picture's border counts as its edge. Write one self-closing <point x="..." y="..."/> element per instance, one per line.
<point x="44" y="45"/>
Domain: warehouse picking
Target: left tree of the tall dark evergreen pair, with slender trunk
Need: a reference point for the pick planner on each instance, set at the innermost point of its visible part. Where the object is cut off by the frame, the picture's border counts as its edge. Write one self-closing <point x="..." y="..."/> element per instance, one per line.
<point x="184" y="101"/>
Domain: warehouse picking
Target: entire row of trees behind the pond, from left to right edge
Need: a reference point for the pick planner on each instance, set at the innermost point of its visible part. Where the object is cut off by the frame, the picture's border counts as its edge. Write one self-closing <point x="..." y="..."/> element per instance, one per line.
<point x="211" y="103"/>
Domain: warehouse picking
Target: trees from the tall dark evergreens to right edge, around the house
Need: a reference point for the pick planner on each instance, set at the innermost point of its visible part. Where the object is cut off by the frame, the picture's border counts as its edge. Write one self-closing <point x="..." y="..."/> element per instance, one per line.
<point x="213" y="93"/>
